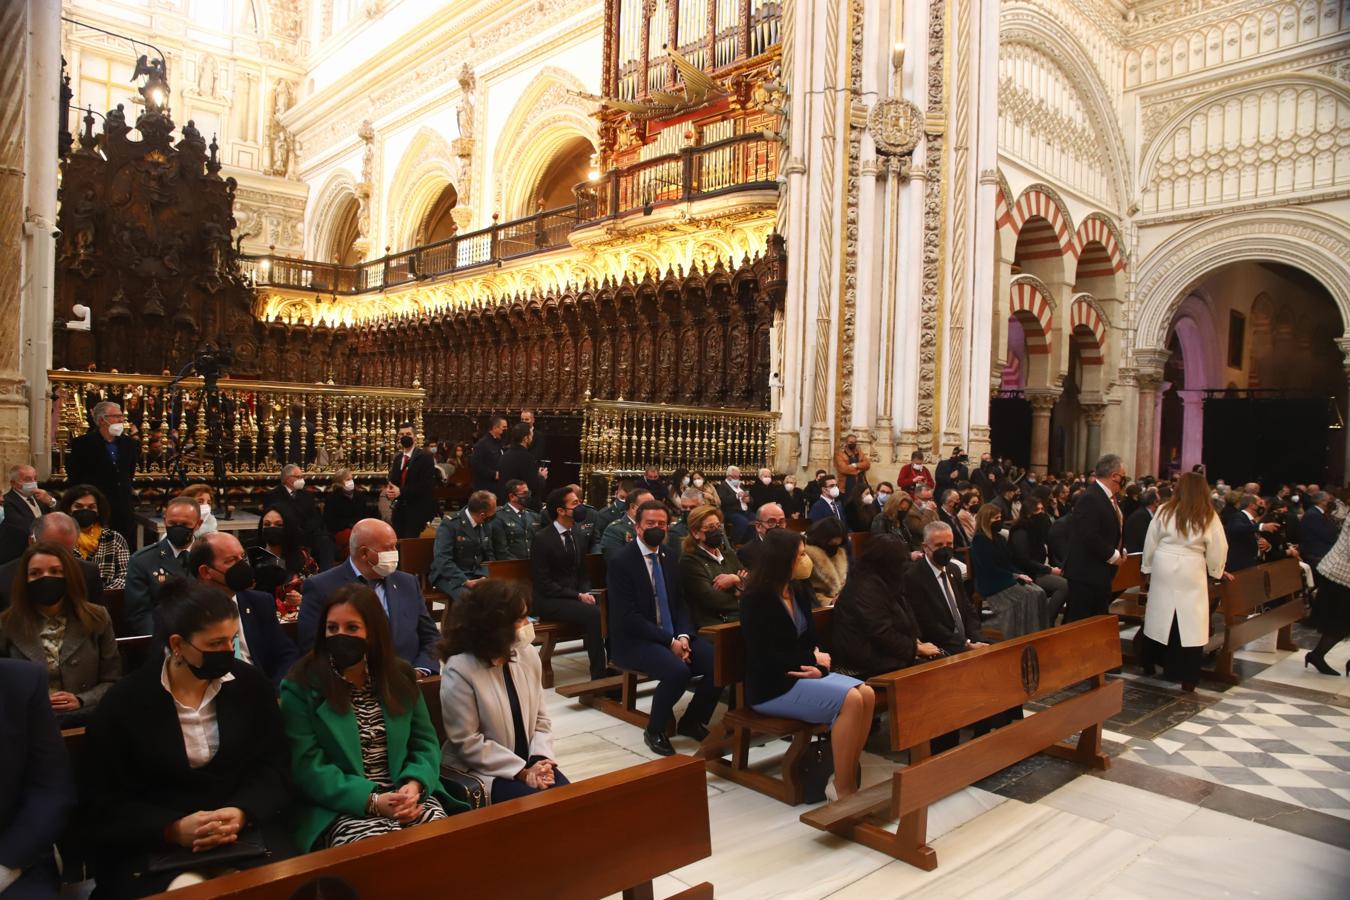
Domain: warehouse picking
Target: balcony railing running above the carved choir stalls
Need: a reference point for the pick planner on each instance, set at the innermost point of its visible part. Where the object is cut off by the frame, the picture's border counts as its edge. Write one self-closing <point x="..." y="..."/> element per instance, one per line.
<point x="745" y="163"/>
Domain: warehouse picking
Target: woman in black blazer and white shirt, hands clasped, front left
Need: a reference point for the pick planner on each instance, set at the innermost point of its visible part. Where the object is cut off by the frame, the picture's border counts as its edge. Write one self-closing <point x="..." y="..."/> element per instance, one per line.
<point x="186" y="759"/>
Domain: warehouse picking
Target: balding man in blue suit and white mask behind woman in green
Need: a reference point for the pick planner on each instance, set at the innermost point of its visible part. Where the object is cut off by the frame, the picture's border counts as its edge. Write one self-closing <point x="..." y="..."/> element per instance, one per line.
<point x="375" y="562"/>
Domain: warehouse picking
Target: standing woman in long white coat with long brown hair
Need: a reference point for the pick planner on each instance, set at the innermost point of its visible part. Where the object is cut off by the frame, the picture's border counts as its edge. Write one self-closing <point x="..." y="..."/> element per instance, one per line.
<point x="1185" y="544"/>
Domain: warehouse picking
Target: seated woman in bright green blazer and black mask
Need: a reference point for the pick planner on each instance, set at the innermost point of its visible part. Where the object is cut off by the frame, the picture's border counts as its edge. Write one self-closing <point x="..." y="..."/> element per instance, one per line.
<point x="364" y="755"/>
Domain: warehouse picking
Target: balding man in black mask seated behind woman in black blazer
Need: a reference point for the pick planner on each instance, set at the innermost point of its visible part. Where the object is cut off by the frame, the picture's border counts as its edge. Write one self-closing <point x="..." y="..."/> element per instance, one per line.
<point x="219" y="559"/>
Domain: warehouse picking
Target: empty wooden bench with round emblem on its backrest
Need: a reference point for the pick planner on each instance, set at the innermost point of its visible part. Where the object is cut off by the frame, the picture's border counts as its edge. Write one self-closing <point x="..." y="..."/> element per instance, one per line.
<point x="946" y="696"/>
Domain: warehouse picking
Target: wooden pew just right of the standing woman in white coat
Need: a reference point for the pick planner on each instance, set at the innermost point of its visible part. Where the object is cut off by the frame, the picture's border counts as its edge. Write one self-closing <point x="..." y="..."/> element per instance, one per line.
<point x="1275" y="586"/>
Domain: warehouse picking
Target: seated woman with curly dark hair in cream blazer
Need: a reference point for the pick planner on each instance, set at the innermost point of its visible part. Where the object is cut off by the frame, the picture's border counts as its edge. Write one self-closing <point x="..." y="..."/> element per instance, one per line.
<point x="492" y="696"/>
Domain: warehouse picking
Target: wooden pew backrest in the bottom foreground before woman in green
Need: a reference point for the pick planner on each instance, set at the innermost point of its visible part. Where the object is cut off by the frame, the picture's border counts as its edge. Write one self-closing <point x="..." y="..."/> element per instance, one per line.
<point x="560" y="844"/>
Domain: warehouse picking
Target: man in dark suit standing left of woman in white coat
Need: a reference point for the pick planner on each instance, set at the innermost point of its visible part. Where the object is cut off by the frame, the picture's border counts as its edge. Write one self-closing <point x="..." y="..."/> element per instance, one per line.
<point x="1096" y="546"/>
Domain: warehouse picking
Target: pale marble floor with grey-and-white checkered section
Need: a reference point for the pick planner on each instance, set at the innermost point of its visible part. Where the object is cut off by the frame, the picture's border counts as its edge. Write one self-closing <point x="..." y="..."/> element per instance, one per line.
<point x="1233" y="793"/>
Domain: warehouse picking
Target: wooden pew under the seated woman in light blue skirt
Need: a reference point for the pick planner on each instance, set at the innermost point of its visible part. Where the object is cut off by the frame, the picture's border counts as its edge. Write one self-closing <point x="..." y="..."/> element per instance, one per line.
<point x="742" y="725"/>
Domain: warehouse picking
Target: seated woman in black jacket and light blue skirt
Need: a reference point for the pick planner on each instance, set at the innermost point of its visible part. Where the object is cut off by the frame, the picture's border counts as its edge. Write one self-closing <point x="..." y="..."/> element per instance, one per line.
<point x="786" y="673"/>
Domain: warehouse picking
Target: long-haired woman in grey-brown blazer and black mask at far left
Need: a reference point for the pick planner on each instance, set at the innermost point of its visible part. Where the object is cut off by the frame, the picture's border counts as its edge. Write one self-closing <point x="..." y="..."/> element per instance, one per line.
<point x="51" y="621"/>
